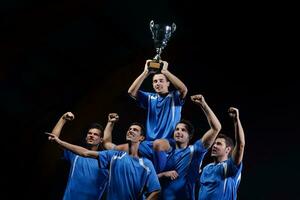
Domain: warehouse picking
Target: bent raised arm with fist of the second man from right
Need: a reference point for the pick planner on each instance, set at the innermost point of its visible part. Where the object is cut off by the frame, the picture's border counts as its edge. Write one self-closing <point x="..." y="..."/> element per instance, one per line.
<point x="215" y="126"/>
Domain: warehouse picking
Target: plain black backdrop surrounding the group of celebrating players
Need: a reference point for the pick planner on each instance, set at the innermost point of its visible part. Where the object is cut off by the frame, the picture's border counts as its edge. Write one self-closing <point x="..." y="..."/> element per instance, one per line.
<point x="81" y="56"/>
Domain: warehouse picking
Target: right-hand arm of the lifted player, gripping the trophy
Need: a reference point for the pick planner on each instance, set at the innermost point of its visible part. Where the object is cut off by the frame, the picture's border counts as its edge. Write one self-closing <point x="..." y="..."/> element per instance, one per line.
<point x="177" y="83"/>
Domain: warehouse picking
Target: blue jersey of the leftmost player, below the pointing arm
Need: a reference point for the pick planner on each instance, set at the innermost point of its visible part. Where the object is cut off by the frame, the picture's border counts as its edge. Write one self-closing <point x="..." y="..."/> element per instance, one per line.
<point x="86" y="179"/>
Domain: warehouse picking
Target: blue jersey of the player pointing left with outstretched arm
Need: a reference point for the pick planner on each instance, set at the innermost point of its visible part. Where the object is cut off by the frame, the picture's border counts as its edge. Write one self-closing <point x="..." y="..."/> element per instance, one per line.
<point x="129" y="177"/>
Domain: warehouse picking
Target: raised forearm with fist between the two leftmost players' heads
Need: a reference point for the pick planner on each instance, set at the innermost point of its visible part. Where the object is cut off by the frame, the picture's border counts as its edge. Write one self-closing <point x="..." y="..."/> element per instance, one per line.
<point x="107" y="138"/>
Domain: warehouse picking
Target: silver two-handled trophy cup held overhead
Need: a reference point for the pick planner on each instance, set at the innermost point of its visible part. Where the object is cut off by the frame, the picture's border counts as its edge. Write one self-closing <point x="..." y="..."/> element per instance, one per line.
<point x="161" y="35"/>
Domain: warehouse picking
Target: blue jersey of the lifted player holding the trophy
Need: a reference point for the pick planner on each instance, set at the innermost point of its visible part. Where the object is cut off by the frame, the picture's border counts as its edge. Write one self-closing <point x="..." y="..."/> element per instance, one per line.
<point x="163" y="113"/>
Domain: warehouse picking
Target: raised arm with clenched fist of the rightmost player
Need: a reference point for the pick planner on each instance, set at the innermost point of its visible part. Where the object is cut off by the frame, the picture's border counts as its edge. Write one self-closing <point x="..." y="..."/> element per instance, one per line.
<point x="238" y="151"/>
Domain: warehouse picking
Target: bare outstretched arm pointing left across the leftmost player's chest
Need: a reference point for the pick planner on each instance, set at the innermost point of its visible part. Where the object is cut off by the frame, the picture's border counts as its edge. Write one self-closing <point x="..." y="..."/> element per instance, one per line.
<point x="74" y="148"/>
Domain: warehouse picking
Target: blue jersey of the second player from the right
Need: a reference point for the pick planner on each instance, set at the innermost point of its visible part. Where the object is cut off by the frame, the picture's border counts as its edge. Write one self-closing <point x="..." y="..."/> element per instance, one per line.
<point x="187" y="163"/>
